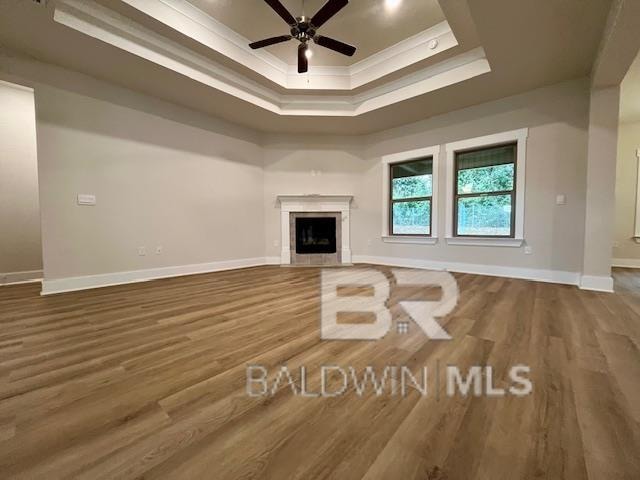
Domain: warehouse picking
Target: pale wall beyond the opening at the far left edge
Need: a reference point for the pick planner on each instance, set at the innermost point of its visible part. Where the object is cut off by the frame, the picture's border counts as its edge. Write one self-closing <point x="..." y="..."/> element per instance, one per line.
<point x="20" y="247"/>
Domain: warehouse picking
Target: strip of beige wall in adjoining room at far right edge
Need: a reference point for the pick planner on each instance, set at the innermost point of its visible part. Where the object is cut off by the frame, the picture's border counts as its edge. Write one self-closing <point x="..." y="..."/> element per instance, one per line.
<point x="626" y="251"/>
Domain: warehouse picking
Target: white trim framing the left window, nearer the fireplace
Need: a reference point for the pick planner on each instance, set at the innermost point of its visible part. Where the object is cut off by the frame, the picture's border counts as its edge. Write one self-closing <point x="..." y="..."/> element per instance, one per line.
<point x="404" y="157"/>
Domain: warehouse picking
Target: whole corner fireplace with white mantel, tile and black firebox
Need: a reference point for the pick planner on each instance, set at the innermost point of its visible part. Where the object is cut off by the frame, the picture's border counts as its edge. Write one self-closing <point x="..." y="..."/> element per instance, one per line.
<point x="320" y="245"/>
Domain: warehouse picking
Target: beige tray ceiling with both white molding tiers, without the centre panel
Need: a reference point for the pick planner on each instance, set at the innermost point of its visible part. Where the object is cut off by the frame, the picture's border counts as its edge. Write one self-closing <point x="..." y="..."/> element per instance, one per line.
<point x="171" y="50"/>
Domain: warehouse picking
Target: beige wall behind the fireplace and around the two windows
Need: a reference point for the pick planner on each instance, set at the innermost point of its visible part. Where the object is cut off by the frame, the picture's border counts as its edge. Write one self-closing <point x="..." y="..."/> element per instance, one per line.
<point x="557" y="118"/>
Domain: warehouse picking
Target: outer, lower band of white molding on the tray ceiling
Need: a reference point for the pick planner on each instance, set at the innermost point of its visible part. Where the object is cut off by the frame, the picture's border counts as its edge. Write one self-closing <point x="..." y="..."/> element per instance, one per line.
<point x="110" y="27"/>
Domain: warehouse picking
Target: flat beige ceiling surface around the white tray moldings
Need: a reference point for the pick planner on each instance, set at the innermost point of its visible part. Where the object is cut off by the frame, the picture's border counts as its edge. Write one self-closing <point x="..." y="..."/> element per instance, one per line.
<point x="528" y="43"/>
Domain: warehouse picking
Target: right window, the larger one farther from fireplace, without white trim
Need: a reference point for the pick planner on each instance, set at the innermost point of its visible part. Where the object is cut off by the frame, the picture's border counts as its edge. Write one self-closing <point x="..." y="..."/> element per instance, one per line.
<point x="485" y="193"/>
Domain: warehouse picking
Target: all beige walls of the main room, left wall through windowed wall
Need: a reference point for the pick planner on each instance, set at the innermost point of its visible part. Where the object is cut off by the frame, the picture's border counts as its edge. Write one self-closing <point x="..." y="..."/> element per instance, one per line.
<point x="205" y="190"/>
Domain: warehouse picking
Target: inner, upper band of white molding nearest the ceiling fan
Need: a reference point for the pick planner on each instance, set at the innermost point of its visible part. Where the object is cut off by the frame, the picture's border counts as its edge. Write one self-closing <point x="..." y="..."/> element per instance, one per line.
<point x="206" y="30"/>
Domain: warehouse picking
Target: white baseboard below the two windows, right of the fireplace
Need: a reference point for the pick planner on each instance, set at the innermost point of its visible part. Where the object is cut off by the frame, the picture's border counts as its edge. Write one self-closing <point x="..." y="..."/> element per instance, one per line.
<point x="538" y="275"/>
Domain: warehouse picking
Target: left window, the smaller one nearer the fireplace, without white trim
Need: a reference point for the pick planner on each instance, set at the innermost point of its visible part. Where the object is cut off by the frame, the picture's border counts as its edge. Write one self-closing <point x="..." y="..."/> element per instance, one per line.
<point x="411" y="197"/>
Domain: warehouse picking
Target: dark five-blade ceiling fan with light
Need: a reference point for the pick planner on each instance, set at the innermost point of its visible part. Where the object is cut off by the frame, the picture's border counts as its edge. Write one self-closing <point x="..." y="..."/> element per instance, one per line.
<point x="304" y="29"/>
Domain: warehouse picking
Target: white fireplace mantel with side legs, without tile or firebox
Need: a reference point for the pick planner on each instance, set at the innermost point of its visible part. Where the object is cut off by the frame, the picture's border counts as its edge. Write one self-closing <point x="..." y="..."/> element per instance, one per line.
<point x="314" y="203"/>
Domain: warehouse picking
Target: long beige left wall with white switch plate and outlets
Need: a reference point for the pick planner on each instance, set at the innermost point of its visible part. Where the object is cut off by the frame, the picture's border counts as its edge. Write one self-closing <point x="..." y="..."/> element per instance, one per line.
<point x="163" y="176"/>
